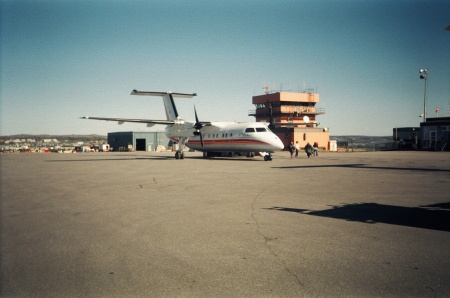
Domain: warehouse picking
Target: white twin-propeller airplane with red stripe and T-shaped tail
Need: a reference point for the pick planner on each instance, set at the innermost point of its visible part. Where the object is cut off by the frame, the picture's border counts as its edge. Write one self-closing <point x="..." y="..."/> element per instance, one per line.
<point x="212" y="138"/>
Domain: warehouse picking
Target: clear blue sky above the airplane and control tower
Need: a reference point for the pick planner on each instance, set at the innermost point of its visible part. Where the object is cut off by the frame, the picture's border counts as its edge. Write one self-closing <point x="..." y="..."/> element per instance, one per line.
<point x="64" y="59"/>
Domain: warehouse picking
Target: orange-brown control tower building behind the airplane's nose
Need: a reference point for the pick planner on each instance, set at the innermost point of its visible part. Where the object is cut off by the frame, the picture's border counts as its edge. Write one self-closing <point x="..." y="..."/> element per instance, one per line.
<point x="293" y="117"/>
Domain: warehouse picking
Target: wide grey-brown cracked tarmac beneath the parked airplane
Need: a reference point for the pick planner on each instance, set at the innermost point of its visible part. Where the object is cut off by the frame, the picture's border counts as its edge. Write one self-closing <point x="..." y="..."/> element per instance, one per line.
<point x="142" y="224"/>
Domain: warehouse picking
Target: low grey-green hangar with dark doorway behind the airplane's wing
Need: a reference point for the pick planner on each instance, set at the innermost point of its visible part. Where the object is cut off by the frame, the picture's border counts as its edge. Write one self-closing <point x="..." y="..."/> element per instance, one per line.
<point x="137" y="141"/>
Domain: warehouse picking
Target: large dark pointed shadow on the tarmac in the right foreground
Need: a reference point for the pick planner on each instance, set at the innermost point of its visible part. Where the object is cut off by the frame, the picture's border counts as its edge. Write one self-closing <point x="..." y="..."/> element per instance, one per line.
<point x="433" y="217"/>
